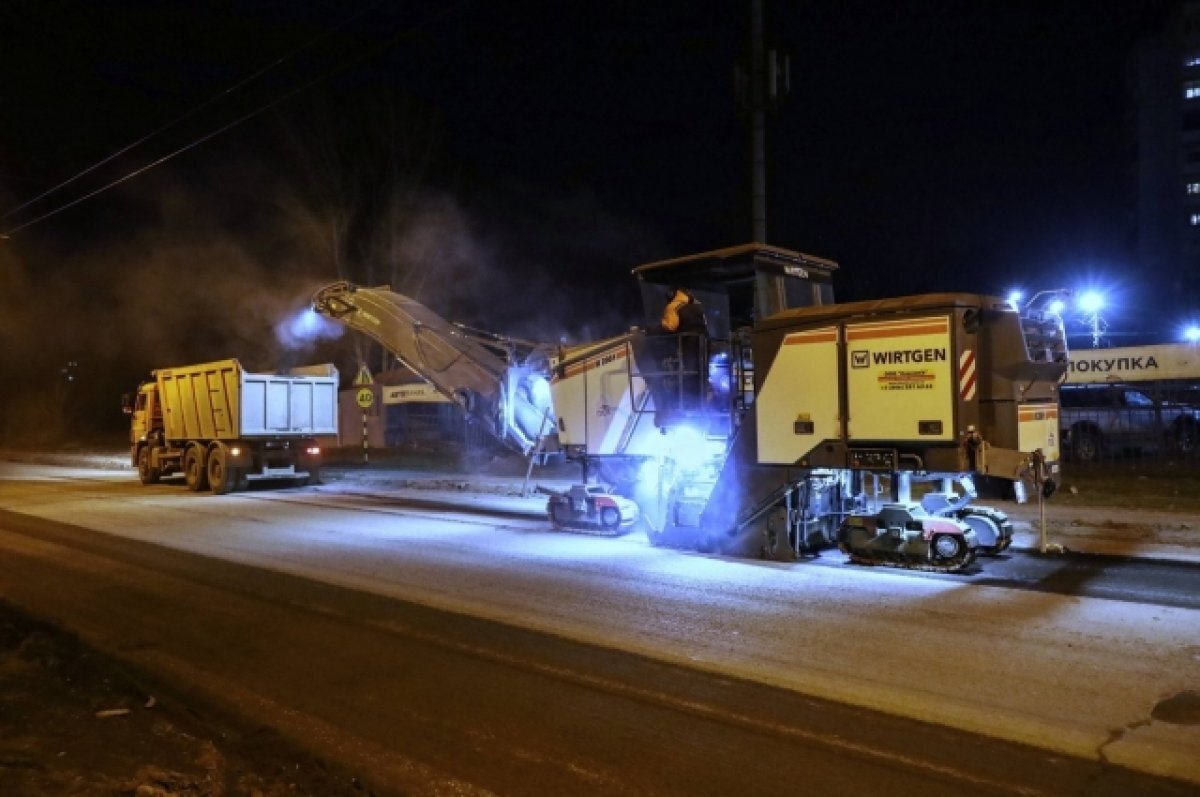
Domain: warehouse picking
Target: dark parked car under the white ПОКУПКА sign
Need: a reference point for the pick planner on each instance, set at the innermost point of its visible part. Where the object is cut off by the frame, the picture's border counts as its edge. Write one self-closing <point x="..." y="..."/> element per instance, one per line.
<point x="1109" y="420"/>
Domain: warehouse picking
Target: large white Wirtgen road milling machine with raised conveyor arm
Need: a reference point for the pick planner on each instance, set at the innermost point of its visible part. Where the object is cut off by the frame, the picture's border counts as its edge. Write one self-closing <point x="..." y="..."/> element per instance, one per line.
<point x="782" y="424"/>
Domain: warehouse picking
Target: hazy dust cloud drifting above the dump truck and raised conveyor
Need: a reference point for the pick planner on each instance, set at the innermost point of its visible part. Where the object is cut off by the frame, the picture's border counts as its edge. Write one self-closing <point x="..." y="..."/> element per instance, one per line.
<point x="211" y="277"/>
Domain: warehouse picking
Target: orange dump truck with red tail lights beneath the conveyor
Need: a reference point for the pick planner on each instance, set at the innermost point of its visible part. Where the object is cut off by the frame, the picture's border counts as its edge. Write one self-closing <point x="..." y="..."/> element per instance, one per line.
<point x="224" y="427"/>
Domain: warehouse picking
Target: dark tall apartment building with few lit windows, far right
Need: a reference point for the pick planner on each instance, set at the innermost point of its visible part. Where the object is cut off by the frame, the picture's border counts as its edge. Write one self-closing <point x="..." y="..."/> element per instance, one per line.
<point x="1165" y="82"/>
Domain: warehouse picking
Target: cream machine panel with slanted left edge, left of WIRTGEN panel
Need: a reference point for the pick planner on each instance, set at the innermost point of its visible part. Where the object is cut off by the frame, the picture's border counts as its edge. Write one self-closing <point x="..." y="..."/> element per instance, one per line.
<point x="797" y="406"/>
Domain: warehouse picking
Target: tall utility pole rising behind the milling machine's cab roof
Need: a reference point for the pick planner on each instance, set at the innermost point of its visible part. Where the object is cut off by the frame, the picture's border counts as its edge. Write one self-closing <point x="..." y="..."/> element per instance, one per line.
<point x="763" y="88"/>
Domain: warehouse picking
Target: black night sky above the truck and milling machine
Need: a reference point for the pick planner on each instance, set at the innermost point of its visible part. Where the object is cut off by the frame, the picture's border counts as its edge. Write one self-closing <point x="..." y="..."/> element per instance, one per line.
<point x="509" y="164"/>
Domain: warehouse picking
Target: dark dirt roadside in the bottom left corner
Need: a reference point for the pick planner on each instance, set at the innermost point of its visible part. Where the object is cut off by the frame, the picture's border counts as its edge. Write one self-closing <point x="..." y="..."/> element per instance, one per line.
<point x="77" y="723"/>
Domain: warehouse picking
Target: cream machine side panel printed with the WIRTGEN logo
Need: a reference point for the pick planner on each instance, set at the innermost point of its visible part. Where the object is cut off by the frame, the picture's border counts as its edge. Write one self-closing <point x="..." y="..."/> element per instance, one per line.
<point x="901" y="380"/>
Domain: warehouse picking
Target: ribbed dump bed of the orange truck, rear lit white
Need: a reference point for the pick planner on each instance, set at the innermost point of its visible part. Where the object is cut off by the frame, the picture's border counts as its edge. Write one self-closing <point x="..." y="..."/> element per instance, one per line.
<point x="223" y="402"/>
